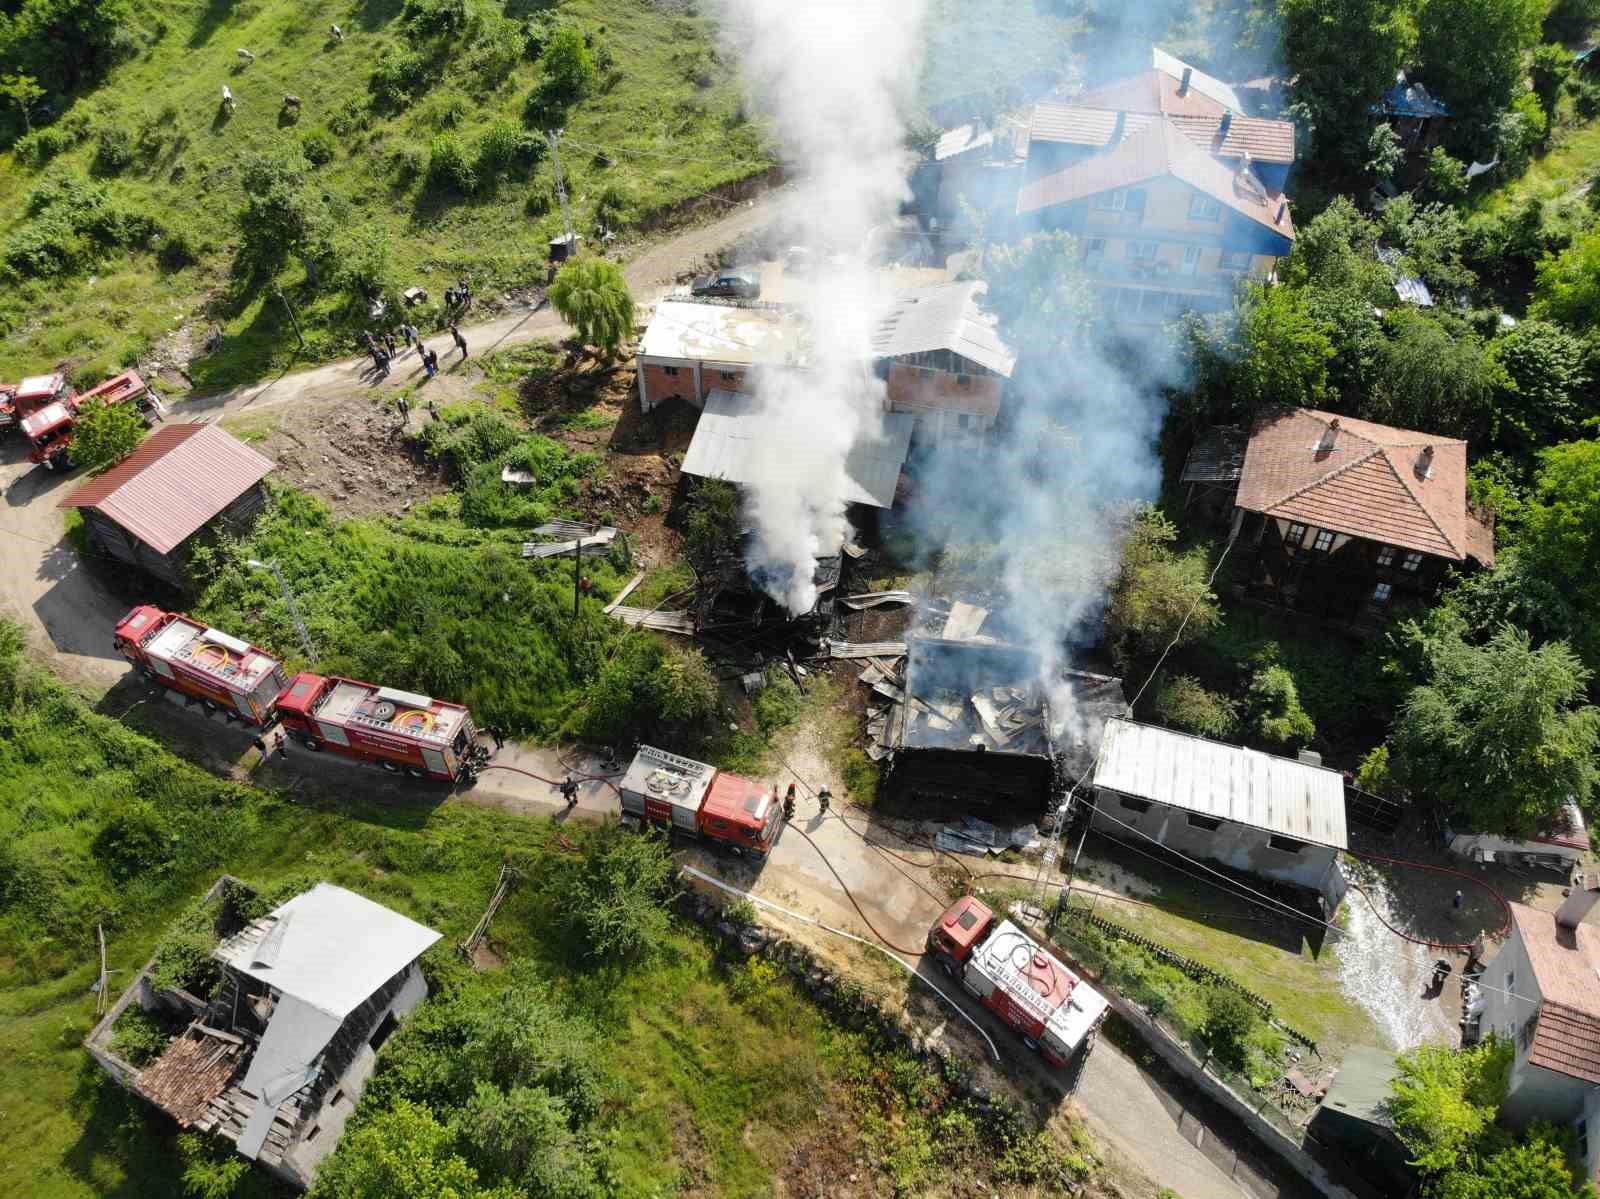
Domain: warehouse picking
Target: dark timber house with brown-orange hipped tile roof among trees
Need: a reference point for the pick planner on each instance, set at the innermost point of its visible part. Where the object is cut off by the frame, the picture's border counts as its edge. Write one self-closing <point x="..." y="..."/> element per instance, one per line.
<point x="1343" y="519"/>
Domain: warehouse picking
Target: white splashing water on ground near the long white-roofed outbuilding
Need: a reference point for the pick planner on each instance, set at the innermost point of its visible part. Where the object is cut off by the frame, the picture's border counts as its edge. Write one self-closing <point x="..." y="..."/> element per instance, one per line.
<point x="1386" y="974"/>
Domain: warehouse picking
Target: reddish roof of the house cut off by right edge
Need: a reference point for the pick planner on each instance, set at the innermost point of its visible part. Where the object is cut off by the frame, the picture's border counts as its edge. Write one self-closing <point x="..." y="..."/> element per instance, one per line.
<point x="1567" y="972"/>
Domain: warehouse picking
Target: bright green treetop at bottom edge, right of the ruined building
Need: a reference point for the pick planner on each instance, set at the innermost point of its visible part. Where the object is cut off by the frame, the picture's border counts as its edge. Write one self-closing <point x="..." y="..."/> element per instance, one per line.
<point x="401" y="1153"/>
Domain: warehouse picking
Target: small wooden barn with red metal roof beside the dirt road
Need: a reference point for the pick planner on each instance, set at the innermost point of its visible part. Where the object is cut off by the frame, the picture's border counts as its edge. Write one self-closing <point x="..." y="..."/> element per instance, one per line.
<point x="183" y="478"/>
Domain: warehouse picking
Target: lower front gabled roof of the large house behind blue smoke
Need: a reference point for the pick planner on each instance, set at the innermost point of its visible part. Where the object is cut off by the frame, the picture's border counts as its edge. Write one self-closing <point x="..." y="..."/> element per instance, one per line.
<point x="1159" y="150"/>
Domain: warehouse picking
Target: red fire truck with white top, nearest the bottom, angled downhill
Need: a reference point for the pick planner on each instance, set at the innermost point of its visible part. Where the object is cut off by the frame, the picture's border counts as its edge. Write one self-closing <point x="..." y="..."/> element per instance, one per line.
<point x="1018" y="980"/>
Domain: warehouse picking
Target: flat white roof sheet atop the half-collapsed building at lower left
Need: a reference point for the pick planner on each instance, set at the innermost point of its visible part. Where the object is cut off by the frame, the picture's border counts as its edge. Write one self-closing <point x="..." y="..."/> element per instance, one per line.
<point x="329" y="948"/>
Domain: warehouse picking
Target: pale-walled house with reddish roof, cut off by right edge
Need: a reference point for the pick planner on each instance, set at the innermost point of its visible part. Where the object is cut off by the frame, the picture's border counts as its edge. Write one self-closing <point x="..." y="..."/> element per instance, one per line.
<point x="1543" y="995"/>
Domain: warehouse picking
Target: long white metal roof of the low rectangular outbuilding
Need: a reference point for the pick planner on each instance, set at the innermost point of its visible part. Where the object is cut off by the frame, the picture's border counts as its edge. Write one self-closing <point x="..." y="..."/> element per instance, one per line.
<point x="1233" y="784"/>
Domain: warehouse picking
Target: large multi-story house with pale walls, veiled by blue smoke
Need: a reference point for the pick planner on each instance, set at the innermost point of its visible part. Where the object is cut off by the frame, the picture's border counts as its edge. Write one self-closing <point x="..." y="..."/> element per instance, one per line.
<point x="1175" y="193"/>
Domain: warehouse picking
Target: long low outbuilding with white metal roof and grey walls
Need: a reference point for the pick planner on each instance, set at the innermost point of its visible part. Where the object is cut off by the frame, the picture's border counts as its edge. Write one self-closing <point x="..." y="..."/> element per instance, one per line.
<point x="1255" y="812"/>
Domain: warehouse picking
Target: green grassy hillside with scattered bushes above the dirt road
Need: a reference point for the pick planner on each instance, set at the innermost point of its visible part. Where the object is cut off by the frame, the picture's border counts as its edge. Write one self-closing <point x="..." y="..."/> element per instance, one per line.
<point x="660" y="124"/>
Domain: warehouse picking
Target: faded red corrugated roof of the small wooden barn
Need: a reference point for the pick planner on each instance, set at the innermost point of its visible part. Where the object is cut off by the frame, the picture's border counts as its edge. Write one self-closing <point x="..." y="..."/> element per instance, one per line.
<point x="180" y="478"/>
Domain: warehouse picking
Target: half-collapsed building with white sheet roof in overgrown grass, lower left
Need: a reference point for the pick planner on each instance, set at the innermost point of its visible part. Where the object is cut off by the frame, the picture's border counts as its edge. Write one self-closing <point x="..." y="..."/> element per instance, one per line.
<point x="276" y="1038"/>
